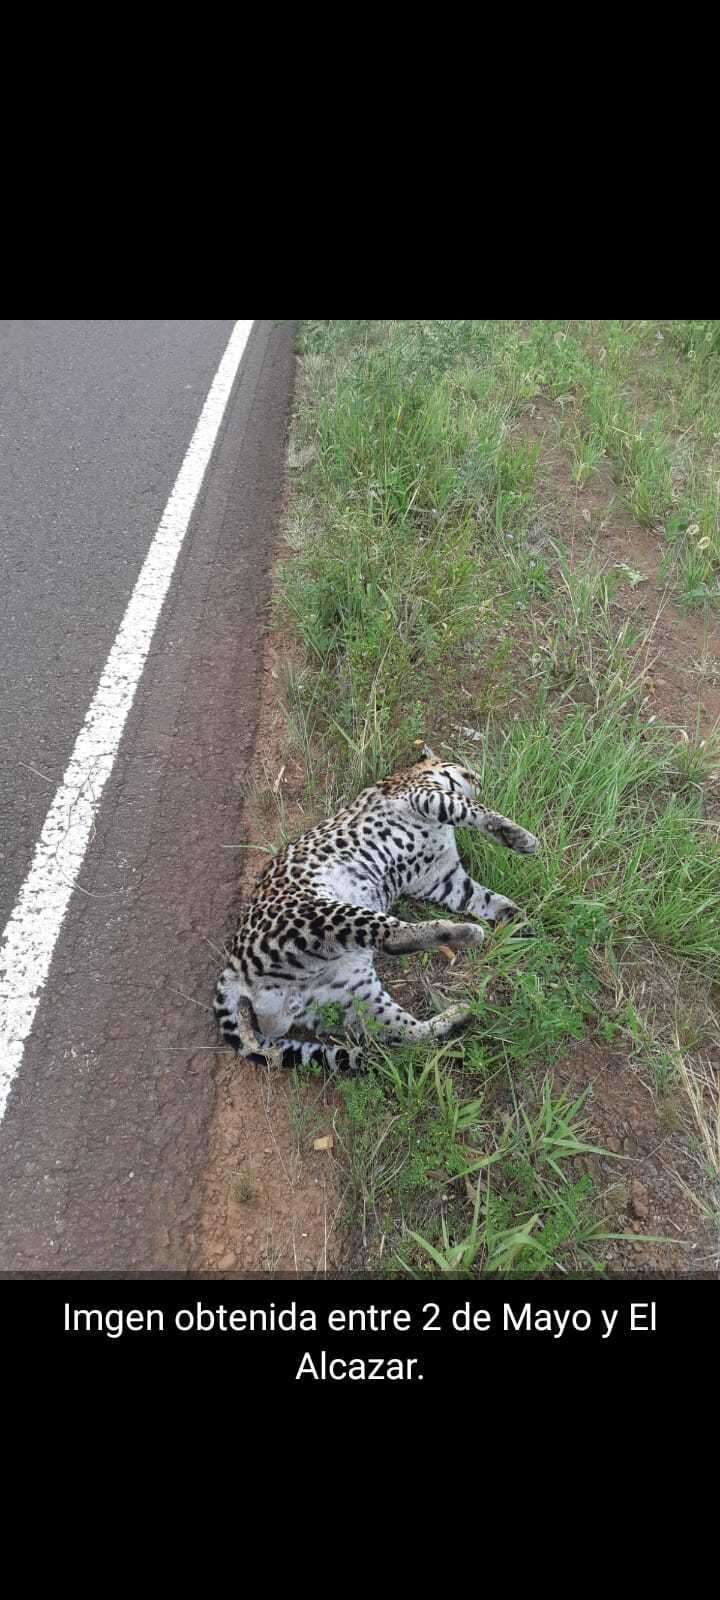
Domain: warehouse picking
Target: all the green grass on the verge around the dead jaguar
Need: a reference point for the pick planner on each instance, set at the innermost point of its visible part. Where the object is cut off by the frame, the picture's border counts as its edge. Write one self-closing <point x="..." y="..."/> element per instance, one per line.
<point x="422" y="602"/>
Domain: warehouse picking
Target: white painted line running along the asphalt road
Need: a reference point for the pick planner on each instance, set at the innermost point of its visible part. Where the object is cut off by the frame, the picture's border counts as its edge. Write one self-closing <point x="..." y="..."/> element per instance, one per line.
<point x="31" y="935"/>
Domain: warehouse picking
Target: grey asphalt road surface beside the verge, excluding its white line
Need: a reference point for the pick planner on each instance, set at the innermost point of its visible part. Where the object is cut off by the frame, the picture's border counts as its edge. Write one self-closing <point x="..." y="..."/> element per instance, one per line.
<point x="105" y="1137"/>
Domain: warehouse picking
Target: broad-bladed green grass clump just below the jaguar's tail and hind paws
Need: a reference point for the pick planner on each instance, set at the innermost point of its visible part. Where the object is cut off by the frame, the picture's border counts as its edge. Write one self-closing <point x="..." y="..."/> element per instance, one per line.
<point x="414" y="1146"/>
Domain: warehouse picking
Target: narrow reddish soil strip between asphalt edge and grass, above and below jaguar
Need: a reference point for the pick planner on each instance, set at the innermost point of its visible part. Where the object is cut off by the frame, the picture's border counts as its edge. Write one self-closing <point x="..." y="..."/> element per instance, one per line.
<point x="271" y="1199"/>
